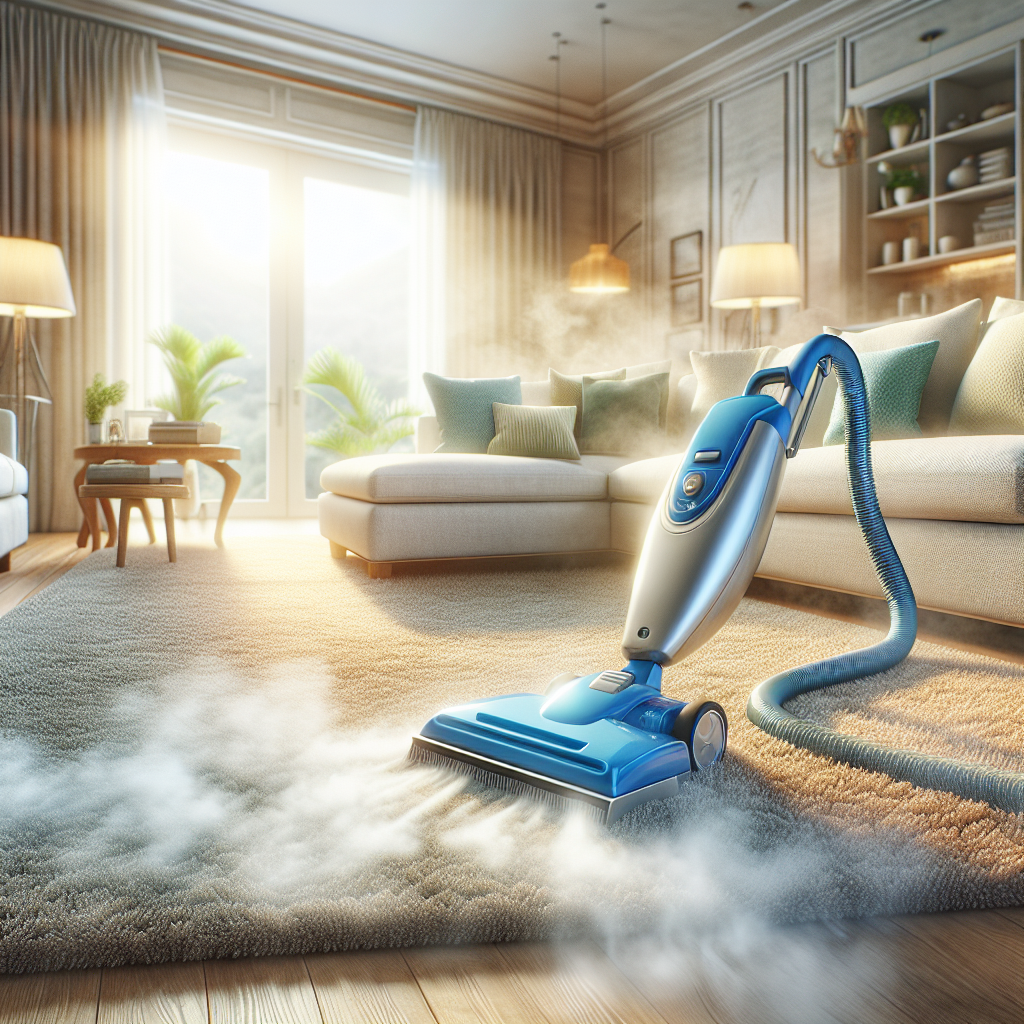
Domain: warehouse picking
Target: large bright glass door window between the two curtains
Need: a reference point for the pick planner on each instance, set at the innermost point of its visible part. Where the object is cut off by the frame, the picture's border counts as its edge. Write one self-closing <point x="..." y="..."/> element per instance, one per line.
<point x="286" y="253"/>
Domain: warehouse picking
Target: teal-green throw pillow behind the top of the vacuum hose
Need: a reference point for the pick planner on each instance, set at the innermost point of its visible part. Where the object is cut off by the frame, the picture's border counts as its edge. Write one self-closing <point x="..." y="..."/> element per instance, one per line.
<point x="894" y="380"/>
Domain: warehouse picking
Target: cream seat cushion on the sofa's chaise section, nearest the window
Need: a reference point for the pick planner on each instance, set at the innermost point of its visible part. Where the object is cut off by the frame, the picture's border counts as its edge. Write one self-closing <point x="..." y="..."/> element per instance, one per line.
<point x="442" y="478"/>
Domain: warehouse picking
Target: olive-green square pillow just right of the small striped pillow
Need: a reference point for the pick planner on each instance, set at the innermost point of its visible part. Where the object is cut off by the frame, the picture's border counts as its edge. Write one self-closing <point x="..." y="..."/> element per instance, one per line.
<point x="622" y="417"/>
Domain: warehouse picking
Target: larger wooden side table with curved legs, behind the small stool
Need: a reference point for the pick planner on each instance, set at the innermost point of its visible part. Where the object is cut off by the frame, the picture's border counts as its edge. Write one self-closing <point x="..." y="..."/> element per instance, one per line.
<point x="215" y="456"/>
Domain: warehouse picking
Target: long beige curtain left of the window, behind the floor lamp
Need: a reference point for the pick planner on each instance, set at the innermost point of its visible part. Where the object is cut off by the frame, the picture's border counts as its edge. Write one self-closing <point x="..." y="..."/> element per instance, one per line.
<point x="81" y="152"/>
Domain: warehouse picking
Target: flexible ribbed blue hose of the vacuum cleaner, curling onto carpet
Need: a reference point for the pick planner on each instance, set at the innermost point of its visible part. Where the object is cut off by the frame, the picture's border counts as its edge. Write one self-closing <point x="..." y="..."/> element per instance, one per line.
<point x="999" y="788"/>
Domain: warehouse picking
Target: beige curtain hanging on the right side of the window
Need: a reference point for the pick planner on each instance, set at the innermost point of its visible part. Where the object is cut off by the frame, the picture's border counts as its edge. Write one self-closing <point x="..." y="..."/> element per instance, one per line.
<point x="486" y="201"/>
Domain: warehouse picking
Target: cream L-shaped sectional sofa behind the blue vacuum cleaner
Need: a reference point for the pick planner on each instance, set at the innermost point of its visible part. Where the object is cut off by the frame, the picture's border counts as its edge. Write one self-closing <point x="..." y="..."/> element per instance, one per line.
<point x="955" y="507"/>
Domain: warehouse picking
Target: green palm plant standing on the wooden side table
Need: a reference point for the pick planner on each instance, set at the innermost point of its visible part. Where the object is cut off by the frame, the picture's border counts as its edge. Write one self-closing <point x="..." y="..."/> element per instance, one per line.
<point x="195" y="380"/>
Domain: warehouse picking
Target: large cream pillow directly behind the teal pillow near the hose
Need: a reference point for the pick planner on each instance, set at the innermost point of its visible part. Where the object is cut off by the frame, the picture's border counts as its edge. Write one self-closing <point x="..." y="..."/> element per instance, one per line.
<point x="956" y="331"/>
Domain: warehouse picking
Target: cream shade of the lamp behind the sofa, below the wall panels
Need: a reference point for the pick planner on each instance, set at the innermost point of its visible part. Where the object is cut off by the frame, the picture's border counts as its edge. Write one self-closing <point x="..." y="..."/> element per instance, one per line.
<point x="761" y="273"/>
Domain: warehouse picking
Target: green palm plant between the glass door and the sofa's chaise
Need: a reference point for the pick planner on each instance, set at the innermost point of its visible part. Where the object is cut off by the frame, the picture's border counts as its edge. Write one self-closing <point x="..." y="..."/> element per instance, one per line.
<point x="369" y="424"/>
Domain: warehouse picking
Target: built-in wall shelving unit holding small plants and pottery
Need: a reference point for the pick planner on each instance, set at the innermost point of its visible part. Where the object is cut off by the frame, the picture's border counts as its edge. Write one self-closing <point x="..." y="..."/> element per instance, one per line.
<point x="936" y="149"/>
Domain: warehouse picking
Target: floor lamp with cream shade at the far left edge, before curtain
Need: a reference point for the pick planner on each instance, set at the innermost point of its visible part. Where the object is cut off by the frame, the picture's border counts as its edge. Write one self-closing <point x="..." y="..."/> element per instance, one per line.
<point x="33" y="283"/>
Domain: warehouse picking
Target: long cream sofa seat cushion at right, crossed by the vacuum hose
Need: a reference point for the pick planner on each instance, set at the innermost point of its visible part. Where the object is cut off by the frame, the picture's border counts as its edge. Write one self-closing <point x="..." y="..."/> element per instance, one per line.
<point x="958" y="479"/>
